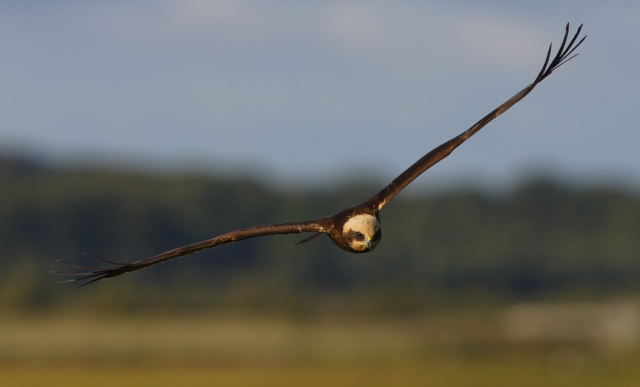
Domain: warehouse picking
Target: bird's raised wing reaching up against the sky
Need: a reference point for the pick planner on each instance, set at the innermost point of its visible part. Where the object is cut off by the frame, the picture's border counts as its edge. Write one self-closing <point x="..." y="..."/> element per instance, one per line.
<point x="439" y="153"/>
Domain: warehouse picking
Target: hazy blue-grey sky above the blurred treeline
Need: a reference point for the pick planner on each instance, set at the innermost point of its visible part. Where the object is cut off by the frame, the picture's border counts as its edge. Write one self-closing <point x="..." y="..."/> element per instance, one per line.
<point x="307" y="90"/>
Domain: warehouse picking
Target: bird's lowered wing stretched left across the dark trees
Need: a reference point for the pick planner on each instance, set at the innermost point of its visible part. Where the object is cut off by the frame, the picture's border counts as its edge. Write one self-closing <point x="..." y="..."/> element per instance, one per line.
<point x="93" y="274"/>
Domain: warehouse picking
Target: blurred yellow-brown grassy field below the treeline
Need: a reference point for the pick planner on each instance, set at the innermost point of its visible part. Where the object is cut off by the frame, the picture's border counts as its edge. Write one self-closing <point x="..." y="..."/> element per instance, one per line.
<point x="465" y="347"/>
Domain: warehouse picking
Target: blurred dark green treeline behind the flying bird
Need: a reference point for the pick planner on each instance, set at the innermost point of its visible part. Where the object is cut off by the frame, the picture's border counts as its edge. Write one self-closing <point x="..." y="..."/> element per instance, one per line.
<point x="539" y="241"/>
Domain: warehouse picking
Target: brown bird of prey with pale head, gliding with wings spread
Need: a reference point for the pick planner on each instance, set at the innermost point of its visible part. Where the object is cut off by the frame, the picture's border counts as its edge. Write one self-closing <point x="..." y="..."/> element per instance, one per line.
<point x="354" y="229"/>
